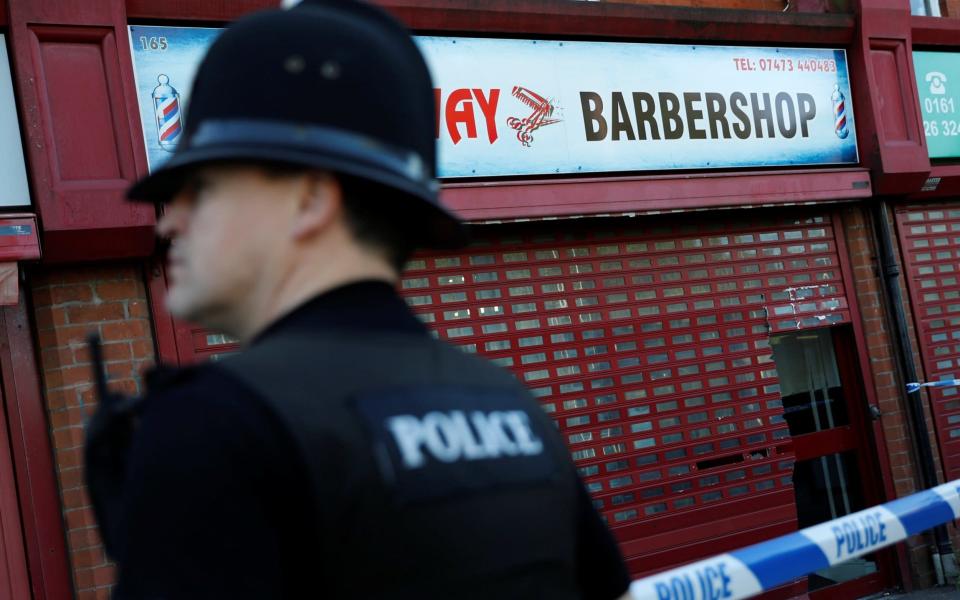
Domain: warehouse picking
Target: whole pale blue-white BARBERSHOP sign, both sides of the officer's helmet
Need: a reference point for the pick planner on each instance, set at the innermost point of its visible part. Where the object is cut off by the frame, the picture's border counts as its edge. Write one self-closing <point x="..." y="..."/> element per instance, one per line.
<point x="535" y="107"/>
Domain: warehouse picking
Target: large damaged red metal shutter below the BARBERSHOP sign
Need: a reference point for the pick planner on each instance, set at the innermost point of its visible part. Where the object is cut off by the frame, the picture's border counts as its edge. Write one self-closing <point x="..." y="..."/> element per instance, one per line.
<point x="649" y="346"/>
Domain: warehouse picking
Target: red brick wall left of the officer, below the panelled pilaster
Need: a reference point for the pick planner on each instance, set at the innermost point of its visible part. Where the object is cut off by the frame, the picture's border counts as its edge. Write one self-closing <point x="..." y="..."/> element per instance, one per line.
<point x="68" y="303"/>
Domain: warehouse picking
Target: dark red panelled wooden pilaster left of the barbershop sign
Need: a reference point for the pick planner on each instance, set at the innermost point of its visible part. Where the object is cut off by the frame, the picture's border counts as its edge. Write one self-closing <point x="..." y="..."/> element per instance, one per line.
<point x="84" y="147"/>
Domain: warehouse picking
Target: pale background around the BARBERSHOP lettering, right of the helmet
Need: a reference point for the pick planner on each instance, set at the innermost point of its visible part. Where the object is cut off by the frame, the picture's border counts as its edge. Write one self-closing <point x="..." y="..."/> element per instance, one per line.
<point x="561" y="70"/>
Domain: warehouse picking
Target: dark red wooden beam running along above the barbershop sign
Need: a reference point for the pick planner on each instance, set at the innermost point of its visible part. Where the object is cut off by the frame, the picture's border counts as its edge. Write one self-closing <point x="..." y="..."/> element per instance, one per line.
<point x="563" y="18"/>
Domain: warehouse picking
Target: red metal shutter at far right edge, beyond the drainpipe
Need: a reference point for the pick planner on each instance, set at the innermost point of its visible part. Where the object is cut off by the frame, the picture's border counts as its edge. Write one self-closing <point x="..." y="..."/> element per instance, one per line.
<point x="930" y="243"/>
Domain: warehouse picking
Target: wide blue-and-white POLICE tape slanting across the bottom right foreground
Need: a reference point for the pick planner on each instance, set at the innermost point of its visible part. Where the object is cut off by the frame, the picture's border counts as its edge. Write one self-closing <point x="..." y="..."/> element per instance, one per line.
<point x="764" y="566"/>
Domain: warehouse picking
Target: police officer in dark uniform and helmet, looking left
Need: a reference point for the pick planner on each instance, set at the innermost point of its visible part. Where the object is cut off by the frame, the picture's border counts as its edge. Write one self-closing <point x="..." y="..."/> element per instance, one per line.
<point x="343" y="453"/>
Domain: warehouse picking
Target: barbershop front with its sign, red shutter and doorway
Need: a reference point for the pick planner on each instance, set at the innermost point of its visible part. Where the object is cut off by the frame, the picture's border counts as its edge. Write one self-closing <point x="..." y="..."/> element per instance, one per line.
<point x="702" y="367"/>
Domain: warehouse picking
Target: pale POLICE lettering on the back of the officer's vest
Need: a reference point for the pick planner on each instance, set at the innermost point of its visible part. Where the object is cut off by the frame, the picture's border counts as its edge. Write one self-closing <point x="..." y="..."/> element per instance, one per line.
<point x="448" y="436"/>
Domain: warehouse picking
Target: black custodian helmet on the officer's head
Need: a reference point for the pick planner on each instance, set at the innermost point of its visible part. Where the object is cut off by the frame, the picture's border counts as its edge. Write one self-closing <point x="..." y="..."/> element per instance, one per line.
<point x="336" y="85"/>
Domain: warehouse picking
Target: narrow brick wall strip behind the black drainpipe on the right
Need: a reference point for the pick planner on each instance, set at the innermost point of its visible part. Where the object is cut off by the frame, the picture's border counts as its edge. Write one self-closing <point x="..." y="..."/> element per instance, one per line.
<point x="887" y="381"/>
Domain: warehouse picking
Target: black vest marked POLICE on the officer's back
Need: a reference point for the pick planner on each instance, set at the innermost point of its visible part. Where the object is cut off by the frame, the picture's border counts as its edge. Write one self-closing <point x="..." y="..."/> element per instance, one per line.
<point x="434" y="474"/>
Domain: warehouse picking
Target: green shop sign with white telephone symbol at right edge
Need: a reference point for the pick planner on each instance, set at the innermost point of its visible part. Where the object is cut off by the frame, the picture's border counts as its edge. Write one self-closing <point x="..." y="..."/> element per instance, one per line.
<point x="938" y="81"/>
